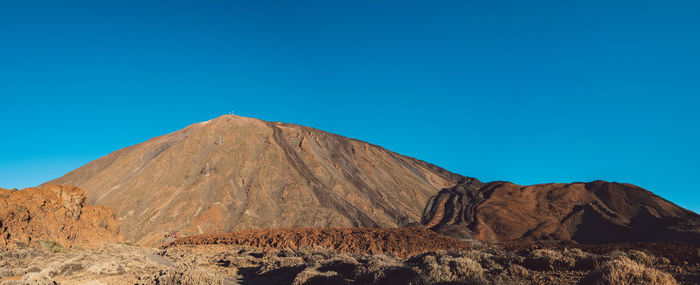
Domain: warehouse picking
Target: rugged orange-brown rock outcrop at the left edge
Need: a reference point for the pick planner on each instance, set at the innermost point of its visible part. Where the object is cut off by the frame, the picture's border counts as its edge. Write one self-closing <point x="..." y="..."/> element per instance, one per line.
<point x="57" y="213"/>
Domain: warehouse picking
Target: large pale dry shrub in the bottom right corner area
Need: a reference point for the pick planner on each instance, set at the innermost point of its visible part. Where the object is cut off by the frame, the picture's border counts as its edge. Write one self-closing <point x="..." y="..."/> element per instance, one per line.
<point x="624" y="271"/>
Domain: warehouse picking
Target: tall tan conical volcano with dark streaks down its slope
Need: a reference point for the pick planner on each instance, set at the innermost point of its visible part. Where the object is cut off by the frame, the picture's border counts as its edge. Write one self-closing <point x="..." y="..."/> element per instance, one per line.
<point x="235" y="173"/>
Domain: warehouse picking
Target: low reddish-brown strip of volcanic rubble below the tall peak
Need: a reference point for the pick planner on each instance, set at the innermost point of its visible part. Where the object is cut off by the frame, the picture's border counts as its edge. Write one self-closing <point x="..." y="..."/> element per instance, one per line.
<point x="399" y="241"/>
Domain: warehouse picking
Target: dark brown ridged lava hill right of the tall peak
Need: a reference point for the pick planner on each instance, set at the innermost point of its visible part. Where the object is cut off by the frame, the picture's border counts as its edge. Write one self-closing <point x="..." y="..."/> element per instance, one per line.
<point x="596" y="212"/>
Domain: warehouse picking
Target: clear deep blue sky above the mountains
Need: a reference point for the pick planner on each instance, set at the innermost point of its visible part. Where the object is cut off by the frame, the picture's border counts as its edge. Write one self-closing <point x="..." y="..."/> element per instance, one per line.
<point x="524" y="91"/>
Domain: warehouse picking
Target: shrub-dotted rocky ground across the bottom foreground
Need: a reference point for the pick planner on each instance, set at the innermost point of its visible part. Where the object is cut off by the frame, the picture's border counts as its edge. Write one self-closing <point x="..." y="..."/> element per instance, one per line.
<point x="482" y="263"/>
